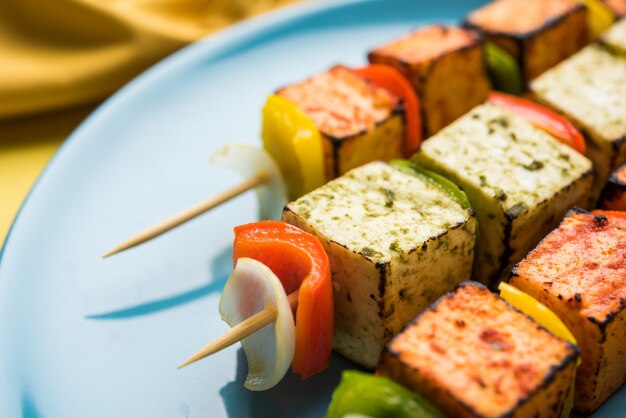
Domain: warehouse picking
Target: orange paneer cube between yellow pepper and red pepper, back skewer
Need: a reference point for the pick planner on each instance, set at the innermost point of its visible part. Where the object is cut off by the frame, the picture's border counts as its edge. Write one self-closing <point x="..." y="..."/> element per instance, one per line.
<point x="359" y="122"/>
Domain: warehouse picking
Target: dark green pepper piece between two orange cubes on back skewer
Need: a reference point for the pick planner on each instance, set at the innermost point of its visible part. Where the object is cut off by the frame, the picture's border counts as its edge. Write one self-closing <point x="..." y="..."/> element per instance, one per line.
<point x="503" y="69"/>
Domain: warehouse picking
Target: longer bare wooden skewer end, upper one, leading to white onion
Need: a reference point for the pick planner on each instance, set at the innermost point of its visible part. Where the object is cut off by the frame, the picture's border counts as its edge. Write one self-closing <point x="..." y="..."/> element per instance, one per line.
<point x="182" y="217"/>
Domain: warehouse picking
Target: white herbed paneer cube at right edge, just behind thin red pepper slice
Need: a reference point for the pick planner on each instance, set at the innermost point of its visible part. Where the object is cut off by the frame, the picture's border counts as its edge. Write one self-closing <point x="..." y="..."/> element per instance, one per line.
<point x="590" y="90"/>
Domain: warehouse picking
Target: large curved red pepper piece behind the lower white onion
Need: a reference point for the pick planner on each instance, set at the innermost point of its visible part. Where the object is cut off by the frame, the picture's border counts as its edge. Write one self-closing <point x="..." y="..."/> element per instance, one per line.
<point x="300" y="262"/>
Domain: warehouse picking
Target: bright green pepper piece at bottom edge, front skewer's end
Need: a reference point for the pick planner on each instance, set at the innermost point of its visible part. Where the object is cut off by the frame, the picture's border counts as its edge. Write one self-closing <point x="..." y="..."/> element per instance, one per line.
<point x="363" y="394"/>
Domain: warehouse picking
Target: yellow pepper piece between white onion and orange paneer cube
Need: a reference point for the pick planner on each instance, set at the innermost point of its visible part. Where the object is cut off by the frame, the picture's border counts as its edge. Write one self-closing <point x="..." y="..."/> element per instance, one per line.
<point x="295" y="143"/>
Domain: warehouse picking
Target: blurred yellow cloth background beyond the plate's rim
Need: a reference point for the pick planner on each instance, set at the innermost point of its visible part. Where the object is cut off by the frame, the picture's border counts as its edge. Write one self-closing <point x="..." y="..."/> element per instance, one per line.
<point x="60" y="59"/>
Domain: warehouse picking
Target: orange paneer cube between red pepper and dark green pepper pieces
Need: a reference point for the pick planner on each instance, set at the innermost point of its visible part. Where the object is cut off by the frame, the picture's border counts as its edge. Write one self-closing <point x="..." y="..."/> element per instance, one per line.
<point x="446" y="67"/>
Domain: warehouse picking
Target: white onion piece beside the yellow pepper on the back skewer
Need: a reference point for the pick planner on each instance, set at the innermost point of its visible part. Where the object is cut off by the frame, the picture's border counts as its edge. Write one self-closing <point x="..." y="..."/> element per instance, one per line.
<point x="249" y="160"/>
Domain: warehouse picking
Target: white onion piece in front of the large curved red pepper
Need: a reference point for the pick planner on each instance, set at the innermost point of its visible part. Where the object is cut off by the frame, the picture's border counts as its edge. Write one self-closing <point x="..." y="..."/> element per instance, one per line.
<point x="250" y="288"/>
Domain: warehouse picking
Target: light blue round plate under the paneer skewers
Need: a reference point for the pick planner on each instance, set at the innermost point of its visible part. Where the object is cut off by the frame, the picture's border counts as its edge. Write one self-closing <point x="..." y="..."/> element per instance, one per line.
<point x="83" y="337"/>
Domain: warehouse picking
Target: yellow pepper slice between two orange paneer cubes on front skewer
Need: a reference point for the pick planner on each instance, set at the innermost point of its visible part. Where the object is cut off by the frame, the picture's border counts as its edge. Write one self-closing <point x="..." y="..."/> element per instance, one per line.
<point x="547" y="319"/>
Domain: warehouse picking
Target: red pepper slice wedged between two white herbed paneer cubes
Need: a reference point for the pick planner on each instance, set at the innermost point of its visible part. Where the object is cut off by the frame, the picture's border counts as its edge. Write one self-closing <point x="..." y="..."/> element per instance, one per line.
<point x="545" y="119"/>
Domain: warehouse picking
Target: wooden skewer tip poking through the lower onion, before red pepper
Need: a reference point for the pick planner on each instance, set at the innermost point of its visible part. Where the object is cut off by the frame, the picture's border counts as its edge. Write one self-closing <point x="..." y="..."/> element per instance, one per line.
<point x="240" y="331"/>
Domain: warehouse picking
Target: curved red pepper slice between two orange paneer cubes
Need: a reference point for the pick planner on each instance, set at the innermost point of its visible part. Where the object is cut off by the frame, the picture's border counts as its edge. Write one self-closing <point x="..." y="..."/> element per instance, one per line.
<point x="391" y="79"/>
